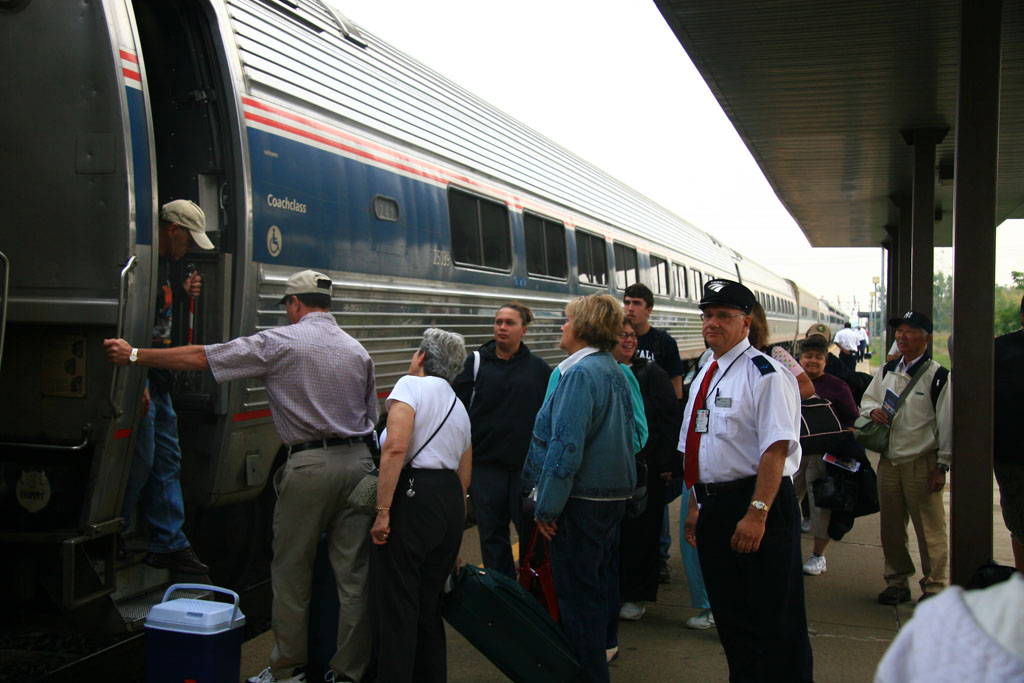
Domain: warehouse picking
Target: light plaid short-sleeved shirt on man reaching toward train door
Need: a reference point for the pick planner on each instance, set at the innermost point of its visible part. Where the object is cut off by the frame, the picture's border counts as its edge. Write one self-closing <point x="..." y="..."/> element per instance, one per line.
<point x="320" y="381"/>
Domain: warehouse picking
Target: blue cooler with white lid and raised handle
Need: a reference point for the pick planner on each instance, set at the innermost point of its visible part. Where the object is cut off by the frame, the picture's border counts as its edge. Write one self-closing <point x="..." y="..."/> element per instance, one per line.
<point x="194" y="641"/>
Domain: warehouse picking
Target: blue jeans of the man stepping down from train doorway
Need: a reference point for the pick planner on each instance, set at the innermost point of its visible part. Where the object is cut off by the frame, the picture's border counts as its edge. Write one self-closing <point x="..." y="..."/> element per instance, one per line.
<point x="155" y="479"/>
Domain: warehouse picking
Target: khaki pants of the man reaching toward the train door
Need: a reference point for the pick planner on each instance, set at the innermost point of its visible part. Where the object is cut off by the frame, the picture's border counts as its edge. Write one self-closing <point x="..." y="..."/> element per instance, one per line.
<point x="313" y="492"/>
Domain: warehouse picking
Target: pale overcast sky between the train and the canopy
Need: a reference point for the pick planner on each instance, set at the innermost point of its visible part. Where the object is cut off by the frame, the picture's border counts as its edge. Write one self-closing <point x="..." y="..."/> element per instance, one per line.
<point x="608" y="80"/>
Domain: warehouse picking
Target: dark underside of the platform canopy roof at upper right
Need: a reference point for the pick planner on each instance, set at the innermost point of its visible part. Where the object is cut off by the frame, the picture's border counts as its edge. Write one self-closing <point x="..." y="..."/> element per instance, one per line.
<point x="823" y="93"/>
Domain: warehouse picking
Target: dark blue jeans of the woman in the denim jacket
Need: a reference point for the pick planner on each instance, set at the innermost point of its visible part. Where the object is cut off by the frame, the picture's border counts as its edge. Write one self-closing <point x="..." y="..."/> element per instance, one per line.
<point x="581" y="557"/>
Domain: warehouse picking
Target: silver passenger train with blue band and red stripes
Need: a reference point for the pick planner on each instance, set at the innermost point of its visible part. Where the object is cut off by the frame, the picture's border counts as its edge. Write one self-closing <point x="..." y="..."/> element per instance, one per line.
<point x="310" y="144"/>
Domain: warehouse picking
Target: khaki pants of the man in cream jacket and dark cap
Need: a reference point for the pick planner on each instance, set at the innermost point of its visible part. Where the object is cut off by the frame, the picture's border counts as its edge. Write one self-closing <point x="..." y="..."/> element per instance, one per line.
<point x="904" y="495"/>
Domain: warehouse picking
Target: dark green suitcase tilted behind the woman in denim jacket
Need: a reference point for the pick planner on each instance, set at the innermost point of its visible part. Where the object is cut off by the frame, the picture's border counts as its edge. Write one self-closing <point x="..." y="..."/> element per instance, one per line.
<point x="509" y="627"/>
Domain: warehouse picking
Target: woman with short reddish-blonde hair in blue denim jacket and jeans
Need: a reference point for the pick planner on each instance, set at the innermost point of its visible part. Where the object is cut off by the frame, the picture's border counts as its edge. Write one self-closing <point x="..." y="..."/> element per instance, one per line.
<point x="582" y="461"/>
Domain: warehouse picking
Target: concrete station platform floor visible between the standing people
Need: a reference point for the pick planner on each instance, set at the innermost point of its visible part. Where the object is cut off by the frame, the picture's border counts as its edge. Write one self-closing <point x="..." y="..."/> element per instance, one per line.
<point x="849" y="630"/>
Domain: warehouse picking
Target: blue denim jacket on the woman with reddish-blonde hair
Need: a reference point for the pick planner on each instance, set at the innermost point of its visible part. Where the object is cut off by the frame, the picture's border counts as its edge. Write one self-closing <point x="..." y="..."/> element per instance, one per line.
<point x="583" y="439"/>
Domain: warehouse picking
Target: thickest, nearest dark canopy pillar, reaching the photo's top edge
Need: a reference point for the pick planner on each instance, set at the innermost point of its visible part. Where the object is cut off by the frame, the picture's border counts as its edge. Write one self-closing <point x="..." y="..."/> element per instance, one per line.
<point x="974" y="276"/>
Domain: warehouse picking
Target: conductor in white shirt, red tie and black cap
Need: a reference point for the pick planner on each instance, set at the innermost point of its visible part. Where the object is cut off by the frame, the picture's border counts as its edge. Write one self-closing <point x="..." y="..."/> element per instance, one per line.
<point x="741" y="438"/>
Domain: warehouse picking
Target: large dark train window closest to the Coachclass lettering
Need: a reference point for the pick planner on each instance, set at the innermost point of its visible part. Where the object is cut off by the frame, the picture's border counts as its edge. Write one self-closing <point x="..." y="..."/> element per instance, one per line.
<point x="481" y="233"/>
